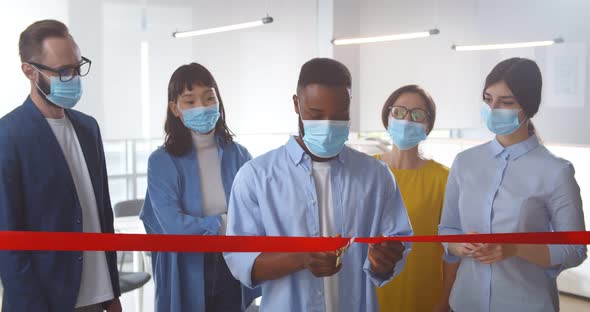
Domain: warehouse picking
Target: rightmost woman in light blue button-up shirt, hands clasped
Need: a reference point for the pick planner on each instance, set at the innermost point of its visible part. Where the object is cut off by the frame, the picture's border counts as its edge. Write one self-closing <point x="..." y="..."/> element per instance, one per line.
<point x="511" y="184"/>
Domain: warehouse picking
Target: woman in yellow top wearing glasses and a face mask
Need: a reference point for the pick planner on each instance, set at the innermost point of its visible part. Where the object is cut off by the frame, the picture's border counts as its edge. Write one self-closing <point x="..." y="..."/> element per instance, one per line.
<point x="425" y="283"/>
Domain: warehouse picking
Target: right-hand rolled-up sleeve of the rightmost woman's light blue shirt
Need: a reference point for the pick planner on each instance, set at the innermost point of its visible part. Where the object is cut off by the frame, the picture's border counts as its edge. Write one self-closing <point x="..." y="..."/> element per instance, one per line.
<point x="565" y="208"/>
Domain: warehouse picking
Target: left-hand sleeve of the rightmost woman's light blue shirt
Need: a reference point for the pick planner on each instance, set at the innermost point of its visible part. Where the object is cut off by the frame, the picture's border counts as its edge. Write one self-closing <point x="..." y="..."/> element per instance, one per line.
<point x="450" y="221"/>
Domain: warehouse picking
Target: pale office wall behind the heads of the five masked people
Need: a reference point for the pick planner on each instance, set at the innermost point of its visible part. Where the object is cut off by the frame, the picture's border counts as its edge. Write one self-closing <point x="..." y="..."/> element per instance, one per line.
<point x="257" y="68"/>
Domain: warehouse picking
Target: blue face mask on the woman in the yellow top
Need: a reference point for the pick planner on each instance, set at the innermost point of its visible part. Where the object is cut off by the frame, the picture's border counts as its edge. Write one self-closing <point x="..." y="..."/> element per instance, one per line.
<point x="406" y="134"/>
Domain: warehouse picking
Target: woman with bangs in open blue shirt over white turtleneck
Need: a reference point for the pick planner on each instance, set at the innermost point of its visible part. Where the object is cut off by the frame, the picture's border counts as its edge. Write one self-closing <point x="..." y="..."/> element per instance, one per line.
<point x="189" y="181"/>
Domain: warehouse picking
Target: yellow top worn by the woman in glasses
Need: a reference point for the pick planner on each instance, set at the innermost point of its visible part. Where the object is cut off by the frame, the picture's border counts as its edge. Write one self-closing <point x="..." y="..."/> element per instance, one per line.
<point x="419" y="285"/>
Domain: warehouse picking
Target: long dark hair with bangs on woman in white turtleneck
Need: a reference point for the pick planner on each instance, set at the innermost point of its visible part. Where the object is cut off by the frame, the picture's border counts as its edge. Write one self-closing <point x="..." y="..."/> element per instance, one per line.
<point x="178" y="139"/>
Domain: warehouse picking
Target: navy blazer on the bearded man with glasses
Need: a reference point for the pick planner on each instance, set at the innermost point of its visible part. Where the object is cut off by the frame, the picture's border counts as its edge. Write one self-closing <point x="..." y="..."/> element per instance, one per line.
<point x="37" y="193"/>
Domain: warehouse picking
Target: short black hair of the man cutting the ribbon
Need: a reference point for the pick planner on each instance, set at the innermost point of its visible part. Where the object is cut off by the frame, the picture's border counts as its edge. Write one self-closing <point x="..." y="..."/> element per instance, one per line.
<point x="324" y="71"/>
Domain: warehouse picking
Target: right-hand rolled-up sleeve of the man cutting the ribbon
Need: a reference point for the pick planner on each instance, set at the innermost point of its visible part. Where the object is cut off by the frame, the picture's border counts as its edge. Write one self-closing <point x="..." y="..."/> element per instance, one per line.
<point x="394" y="221"/>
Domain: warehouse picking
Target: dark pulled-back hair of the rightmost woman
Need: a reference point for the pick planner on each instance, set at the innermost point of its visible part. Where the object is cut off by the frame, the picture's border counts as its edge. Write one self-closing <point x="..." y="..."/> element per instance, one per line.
<point x="523" y="78"/>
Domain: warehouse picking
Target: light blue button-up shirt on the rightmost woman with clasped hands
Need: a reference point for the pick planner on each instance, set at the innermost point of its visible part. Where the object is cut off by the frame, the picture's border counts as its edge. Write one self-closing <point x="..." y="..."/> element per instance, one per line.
<point x="521" y="188"/>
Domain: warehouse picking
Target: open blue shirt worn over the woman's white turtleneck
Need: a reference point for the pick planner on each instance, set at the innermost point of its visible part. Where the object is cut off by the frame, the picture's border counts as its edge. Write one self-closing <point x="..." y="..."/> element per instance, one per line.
<point x="173" y="205"/>
